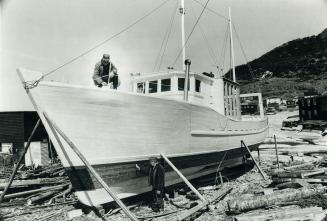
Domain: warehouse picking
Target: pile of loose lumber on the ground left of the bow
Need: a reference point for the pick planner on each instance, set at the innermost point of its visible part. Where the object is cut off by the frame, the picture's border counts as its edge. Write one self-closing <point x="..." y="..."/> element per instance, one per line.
<point x="35" y="186"/>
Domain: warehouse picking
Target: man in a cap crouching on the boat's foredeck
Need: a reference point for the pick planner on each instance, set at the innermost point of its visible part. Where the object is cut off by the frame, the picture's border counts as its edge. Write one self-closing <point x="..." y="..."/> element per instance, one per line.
<point x="105" y="73"/>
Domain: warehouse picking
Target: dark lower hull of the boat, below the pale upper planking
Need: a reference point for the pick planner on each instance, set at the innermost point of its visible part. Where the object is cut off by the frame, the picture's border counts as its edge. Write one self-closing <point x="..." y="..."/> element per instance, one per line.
<point x="126" y="181"/>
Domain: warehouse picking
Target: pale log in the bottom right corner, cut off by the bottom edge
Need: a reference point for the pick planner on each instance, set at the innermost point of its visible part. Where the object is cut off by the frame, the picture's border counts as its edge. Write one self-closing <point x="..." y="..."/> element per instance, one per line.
<point x="312" y="213"/>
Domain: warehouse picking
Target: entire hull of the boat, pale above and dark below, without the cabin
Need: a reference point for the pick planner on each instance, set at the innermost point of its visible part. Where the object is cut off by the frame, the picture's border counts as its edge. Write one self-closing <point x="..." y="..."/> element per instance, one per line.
<point x="114" y="130"/>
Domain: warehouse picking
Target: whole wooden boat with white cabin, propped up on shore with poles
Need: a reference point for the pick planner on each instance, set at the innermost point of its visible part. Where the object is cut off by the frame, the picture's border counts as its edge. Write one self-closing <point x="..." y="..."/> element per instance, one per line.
<point x="115" y="130"/>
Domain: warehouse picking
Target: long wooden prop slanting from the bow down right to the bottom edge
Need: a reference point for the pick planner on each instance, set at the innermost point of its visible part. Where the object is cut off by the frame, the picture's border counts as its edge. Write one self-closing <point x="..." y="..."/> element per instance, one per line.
<point x="90" y="168"/>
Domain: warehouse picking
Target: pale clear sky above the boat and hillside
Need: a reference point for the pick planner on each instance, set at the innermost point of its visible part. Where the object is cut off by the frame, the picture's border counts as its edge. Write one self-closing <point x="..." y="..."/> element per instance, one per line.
<point x="42" y="35"/>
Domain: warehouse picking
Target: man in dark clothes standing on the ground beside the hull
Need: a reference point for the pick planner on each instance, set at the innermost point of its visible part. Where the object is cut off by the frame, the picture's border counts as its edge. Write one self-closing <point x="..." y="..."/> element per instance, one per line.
<point x="156" y="179"/>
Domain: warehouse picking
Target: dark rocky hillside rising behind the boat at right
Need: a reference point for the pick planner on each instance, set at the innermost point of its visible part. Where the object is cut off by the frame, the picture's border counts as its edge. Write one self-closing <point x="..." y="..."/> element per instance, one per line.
<point x="292" y="69"/>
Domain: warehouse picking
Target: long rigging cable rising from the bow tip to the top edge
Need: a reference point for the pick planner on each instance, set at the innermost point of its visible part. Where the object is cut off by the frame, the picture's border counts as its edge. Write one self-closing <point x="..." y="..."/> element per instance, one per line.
<point x="106" y="40"/>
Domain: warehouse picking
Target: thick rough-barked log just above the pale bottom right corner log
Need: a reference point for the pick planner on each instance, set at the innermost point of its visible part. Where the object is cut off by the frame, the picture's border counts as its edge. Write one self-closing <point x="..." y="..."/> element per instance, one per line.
<point x="286" y="195"/>
